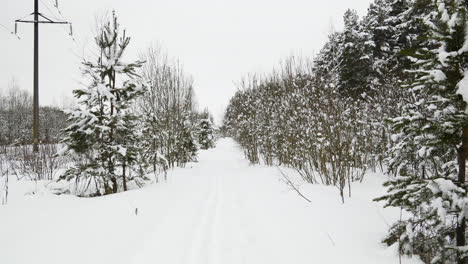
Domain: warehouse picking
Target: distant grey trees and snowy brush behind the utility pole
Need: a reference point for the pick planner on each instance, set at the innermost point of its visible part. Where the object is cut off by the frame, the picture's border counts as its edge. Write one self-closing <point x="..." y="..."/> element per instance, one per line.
<point x="16" y="154"/>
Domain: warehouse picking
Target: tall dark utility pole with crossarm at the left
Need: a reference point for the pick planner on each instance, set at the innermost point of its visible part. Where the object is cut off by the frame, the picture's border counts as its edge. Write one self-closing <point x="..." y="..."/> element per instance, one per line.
<point x="36" y="23"/>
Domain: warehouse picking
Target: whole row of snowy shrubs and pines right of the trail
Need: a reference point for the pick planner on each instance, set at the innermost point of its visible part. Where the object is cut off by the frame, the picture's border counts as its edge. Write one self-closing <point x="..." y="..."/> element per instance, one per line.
<point x="387" y="92"/>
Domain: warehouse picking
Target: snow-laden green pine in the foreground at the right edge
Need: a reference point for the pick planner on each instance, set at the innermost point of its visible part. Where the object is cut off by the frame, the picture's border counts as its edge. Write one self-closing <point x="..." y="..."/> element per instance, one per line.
<point x="431" y="139"/>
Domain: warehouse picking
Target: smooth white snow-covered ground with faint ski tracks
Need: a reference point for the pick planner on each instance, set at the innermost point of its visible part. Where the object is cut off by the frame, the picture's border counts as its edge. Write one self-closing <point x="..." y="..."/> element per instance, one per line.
<point x="217" y="211"/>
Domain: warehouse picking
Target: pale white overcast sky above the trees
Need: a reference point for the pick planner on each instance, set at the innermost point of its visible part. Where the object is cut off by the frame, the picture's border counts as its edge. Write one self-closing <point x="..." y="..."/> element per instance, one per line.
<point x="218" y="42"/>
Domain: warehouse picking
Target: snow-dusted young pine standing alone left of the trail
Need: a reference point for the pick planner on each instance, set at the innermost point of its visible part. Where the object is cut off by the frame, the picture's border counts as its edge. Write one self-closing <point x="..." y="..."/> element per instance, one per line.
<point x="103" y="128"/>
